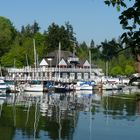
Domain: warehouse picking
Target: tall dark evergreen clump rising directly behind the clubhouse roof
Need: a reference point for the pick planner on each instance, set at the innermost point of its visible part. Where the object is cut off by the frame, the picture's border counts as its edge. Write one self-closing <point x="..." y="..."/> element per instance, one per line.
<point x="63" y="34"/>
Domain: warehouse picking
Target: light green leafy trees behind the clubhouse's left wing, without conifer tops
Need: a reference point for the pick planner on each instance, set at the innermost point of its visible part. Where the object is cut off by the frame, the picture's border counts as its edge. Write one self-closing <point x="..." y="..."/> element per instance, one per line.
<point x="22" y="52"/>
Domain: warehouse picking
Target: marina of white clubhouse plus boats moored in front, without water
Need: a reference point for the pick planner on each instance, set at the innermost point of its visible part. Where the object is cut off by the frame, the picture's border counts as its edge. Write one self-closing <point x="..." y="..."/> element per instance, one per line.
<point x="62" y="71"/>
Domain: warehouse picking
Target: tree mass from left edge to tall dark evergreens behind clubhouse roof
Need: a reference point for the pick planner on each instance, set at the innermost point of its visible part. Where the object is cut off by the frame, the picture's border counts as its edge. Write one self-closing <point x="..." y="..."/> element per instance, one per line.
<point x="19" y="45"/>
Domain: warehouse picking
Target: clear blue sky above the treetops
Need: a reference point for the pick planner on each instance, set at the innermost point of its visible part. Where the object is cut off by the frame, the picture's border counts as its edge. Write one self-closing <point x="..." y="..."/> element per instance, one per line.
<point x="91" y="19"/>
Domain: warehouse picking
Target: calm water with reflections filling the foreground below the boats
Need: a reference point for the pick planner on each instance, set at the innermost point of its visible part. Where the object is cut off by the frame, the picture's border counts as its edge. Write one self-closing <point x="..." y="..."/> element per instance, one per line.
<point x="74" y="116"/>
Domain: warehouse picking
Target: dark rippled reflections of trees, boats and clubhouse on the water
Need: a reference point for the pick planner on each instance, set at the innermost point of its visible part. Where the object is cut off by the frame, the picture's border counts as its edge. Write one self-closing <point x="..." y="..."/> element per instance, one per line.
<point x="56" y="116"/>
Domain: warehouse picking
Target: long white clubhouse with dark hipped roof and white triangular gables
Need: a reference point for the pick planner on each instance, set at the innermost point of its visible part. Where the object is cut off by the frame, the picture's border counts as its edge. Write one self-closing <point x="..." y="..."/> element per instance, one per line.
<point x="62" y="66"/>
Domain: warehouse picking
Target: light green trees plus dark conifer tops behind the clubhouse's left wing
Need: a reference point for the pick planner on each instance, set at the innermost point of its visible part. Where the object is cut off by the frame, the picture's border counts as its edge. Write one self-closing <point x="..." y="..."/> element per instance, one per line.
<point x="22" y="47"/>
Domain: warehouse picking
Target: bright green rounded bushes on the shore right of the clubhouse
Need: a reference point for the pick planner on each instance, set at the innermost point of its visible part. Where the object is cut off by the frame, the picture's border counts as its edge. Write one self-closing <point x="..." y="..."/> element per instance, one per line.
<point x="122" y="60"/>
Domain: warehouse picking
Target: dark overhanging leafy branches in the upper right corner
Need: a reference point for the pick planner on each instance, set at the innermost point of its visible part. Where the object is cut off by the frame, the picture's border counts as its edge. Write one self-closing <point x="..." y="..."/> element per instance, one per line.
<point x="130" y="21"/>
